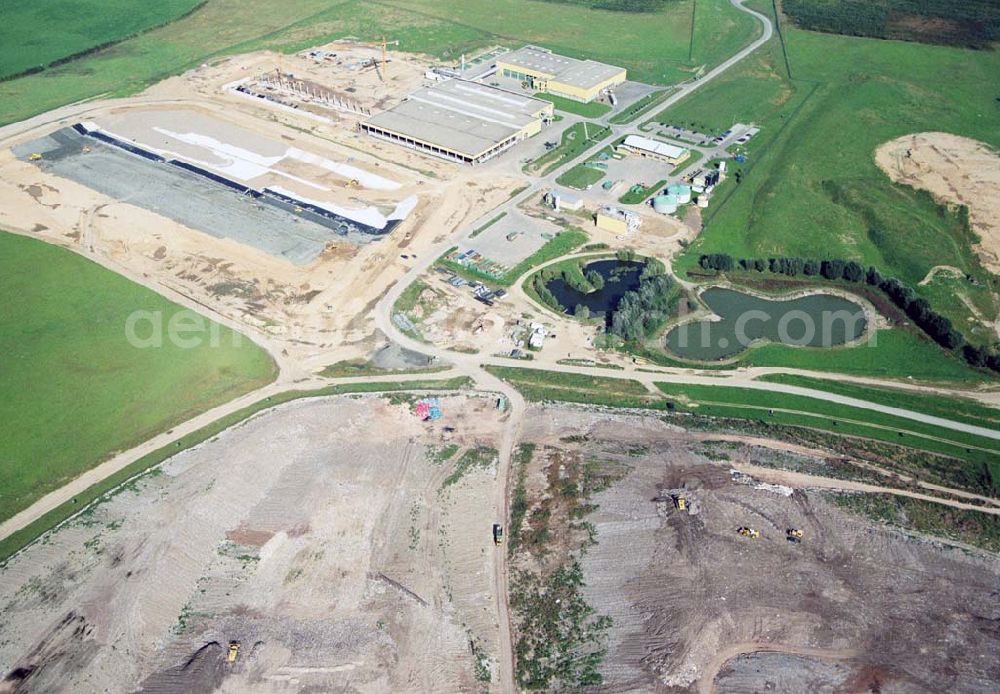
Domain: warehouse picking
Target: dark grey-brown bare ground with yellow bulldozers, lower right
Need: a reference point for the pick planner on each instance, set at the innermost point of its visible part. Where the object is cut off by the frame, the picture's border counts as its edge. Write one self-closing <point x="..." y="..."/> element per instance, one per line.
<point x="855" y="607"/>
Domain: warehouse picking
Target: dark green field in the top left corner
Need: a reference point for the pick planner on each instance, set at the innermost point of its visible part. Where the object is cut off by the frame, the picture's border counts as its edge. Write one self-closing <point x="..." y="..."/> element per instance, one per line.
<point x="36" y="34"/>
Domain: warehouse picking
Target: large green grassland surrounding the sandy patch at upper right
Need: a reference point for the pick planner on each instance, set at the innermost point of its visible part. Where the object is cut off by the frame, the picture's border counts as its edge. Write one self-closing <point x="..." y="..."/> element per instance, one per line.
<point x="810" y="187"/>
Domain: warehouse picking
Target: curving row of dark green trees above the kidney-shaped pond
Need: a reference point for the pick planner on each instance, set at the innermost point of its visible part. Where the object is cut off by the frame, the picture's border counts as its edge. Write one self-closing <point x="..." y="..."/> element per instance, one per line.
<point x="918" y="309"/>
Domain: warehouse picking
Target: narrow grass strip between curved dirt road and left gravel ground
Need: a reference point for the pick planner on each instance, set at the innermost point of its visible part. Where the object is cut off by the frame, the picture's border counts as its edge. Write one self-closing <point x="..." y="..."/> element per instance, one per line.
<point x="109" y="486"/>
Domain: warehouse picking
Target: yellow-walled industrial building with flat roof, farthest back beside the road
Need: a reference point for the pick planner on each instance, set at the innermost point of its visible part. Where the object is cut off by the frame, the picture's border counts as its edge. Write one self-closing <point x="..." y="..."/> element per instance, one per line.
<point x="542" y="70"/>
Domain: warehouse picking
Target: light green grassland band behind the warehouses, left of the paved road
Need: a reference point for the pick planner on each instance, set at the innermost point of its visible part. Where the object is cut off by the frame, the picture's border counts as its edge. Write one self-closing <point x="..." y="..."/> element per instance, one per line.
<point x="662" y="47"/>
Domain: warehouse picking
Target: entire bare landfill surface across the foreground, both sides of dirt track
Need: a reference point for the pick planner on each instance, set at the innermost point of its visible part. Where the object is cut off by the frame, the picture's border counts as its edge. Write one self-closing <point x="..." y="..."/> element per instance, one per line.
<point x="359" y="557"/>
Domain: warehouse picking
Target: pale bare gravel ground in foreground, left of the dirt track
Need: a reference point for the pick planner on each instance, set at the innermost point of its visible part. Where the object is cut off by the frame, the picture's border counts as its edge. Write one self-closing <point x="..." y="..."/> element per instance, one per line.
<point x="317" y="534"/>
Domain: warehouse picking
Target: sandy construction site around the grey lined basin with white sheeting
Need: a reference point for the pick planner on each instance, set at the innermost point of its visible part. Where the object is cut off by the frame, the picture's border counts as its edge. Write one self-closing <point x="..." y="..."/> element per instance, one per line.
<point x="275" y="213"/>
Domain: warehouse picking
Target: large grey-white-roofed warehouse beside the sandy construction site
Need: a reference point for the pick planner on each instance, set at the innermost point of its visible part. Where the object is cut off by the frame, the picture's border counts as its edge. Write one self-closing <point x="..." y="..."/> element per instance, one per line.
<point x="461" y="121"/>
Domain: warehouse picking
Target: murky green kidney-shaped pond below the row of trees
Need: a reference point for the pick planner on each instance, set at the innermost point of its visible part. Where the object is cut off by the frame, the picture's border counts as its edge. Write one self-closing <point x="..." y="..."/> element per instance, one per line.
<point x="816" y="320"/>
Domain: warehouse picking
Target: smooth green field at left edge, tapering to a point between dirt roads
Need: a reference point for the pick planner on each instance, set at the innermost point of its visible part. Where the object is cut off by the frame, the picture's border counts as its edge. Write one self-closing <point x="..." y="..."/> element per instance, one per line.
<point x="75" y="390"/>
